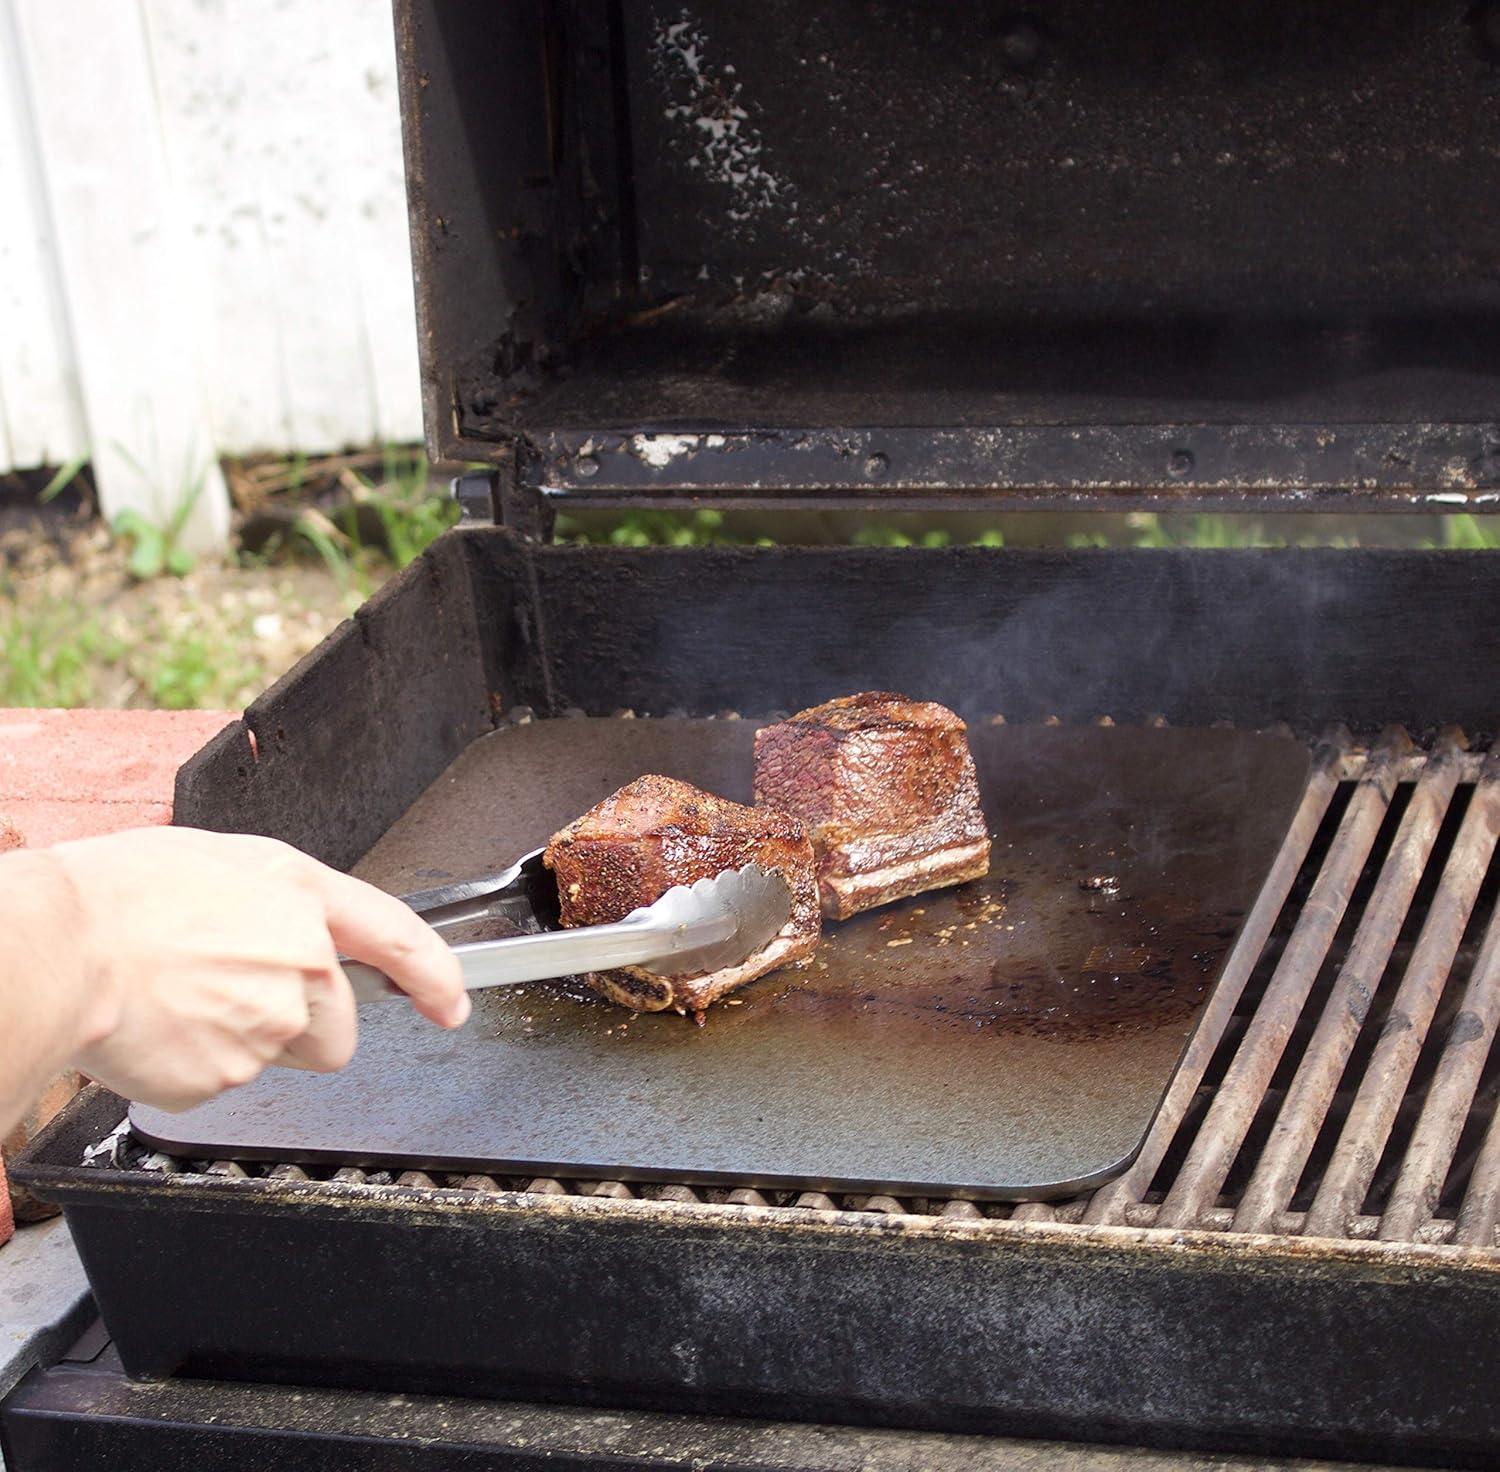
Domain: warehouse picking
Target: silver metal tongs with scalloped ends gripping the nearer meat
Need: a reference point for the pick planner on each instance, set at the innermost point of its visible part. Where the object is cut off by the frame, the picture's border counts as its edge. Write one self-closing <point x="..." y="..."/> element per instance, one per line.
<point x="691" y="930"/>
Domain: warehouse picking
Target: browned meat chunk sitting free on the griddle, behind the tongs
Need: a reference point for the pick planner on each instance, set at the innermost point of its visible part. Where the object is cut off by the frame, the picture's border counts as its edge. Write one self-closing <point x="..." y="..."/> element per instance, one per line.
<point x="889" y="792"/>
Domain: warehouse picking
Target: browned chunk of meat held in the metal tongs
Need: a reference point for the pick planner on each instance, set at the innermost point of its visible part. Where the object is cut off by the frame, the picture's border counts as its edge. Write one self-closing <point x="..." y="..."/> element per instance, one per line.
<point x="656" y="834"/>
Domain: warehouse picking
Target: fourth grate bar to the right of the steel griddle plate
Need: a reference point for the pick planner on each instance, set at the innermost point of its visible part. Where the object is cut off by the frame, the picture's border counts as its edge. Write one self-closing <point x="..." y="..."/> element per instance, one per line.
<point x="1346" y="1180"/>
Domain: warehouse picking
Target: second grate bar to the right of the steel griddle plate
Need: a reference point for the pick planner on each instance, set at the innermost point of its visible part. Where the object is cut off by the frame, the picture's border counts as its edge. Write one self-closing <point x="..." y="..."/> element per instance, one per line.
<point x="1240" y="1098"/>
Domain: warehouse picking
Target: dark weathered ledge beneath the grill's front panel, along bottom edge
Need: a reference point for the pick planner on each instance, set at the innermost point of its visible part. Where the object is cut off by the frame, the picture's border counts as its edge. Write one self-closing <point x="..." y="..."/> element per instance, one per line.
<point x="85" y="1414"/>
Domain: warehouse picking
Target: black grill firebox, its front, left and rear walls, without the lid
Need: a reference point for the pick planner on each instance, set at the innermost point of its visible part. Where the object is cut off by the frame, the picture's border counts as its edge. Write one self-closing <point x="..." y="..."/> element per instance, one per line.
<point x="883" y="1317"/>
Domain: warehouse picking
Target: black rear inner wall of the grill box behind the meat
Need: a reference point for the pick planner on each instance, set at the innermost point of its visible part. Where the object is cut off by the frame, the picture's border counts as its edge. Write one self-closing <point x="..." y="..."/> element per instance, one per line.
<point x="1304" y="637"/>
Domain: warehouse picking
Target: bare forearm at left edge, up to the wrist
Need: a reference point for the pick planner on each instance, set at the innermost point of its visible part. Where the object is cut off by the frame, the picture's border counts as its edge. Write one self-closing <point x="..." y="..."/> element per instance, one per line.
<point x="47" y="1009"/>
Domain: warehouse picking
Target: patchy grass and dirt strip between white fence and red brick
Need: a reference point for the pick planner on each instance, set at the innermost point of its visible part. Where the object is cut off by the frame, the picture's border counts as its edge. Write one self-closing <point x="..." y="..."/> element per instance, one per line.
<point x="142" y="625"/>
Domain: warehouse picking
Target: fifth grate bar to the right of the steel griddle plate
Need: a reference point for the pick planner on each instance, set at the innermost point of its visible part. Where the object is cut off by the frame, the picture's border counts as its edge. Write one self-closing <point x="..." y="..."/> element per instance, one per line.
<point x="1415" y="1197"/>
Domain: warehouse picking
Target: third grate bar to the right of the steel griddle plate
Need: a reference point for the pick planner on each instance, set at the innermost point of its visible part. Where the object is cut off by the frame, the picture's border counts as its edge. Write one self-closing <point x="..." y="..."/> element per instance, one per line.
<point x="1312" y="1093"/>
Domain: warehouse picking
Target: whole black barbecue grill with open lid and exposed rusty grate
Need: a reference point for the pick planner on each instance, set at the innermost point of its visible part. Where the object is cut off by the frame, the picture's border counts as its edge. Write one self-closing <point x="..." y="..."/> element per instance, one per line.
<point x="886" y="259"/>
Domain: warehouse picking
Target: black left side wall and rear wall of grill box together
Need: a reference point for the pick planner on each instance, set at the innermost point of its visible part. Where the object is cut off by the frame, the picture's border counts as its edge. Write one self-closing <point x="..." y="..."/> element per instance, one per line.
<point x="484" y="622"/>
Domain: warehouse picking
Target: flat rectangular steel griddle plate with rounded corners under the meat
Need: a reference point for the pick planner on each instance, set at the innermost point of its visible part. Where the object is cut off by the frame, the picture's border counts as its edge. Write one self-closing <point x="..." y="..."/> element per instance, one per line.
<point x="1009" y="1039"/>
